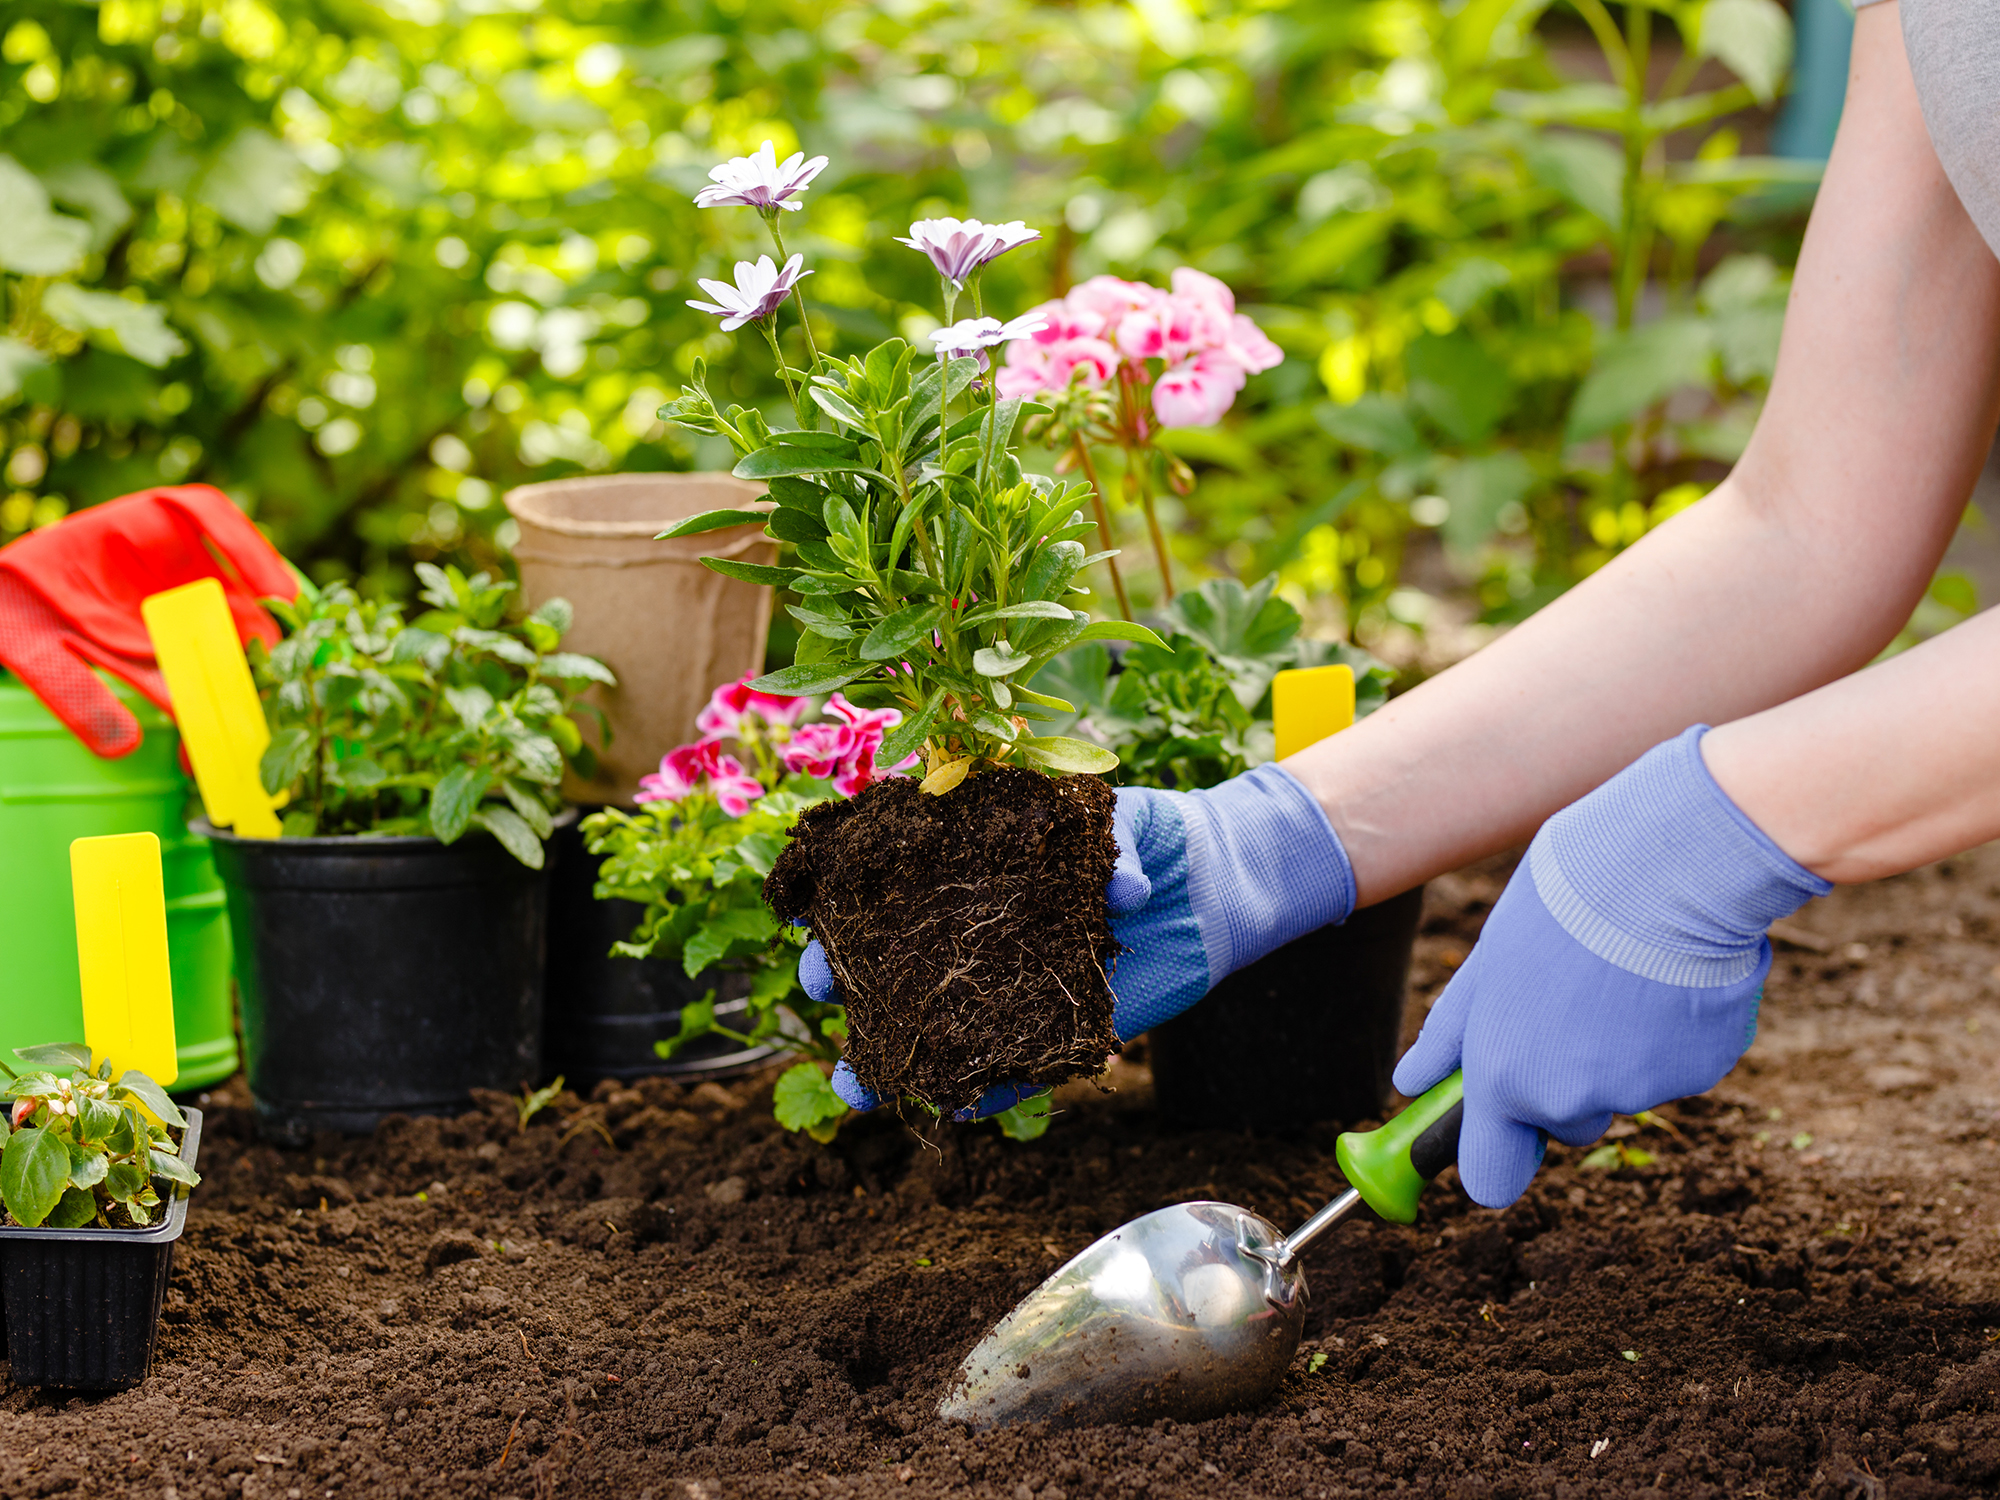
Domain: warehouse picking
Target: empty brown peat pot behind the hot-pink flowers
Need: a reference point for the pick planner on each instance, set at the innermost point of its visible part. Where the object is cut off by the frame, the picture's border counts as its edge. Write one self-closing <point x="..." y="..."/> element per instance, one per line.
<point x="663" y="623"/>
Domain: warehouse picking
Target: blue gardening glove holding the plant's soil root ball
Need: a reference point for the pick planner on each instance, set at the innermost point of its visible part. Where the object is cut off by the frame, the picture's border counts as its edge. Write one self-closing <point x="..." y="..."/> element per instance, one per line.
<point x="1205" y="885"/>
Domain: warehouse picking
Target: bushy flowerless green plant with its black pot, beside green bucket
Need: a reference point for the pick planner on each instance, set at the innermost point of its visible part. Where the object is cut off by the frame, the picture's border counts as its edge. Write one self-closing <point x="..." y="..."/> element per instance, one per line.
<point x="391" y="943"/>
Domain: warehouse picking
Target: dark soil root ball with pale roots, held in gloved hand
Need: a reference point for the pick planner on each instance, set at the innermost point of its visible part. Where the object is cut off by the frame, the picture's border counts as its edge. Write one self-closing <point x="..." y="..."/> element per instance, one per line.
<point x="967" y="931"/>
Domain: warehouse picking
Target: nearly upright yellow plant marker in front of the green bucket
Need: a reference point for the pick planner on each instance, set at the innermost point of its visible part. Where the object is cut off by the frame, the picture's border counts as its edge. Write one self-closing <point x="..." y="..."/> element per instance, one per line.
<point x="121" y="953"/>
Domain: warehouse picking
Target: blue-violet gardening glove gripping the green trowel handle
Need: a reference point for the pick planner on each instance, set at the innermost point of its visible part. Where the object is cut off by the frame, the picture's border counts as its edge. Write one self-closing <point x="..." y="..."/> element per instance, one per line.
<point x="1619" y="971"/>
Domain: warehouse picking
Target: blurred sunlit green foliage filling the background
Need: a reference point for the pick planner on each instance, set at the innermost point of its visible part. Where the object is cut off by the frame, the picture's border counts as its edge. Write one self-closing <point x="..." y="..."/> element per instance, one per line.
<point x="369" y="265"/>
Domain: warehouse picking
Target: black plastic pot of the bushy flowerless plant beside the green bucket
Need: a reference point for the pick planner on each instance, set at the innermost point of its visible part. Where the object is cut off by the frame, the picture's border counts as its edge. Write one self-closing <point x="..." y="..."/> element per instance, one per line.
<point x="383" y="975"/>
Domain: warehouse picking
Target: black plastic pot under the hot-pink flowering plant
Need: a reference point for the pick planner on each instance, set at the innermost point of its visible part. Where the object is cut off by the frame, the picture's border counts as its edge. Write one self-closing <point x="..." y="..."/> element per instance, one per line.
<point x="607" y="1013"/>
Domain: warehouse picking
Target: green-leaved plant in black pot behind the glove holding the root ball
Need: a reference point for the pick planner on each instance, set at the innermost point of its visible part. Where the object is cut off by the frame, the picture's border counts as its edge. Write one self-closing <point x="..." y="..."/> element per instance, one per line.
<point x="1307" y="1033"/>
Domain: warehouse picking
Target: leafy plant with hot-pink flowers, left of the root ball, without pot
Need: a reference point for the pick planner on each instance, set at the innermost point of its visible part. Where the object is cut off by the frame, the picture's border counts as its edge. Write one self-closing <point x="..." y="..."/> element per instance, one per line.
<point x="695" y="855"/>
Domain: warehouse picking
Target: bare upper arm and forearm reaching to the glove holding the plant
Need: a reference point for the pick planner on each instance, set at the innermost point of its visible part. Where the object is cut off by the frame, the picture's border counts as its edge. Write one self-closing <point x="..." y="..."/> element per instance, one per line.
<point x="1791" y="575"/>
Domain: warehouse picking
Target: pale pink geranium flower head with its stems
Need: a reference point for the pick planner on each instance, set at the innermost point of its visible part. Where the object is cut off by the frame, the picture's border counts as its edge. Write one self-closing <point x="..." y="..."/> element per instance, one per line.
<point x="1119" y="363"/>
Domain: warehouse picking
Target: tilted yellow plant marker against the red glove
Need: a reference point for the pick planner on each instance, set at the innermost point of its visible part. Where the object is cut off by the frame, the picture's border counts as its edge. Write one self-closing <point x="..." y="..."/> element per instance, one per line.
<point x="215" y="703"/>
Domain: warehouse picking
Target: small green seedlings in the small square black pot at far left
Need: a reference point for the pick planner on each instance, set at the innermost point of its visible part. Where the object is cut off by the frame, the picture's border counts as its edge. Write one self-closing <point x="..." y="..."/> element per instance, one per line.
<point x="87" y="1147"/>
